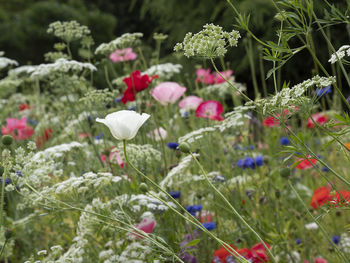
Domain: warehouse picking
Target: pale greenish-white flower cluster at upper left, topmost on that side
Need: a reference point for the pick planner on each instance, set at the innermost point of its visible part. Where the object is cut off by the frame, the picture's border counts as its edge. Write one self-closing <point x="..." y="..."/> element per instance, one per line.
<point x="68" y="31"/>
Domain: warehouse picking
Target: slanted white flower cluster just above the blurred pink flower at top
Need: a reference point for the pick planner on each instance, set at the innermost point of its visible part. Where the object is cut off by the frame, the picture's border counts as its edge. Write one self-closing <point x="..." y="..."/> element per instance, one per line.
<point x="124" y="41"/>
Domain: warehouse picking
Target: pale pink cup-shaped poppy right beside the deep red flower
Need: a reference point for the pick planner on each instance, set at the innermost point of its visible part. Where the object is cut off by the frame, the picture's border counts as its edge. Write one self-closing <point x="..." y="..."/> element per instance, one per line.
<point x="167" y="92"/>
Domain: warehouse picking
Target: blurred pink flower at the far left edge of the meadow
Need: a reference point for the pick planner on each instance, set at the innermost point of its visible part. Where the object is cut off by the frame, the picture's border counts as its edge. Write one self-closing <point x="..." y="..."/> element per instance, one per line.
<point x="17" y="128"/>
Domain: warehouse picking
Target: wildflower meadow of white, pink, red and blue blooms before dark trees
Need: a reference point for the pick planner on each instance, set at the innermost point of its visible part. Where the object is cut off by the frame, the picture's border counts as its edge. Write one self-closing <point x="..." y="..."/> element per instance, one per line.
<point x="128" y="151"/>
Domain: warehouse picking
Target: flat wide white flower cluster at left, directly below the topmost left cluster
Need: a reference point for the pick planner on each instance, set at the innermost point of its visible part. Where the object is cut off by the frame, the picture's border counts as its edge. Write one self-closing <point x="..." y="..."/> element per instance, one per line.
<point x="61" y="65"/>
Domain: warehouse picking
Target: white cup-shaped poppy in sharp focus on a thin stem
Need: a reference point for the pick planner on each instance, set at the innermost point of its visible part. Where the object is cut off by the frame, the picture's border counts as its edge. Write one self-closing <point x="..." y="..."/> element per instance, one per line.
<point x="124" y="124"/>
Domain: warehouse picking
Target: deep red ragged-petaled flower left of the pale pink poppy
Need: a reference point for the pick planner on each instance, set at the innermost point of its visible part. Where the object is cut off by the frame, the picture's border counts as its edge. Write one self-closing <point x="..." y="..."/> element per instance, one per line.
<point x="135" y="83"/>
